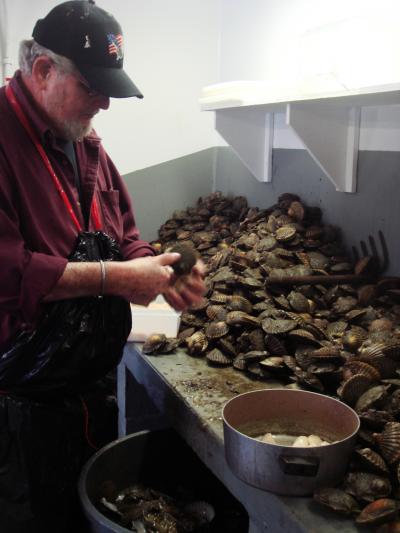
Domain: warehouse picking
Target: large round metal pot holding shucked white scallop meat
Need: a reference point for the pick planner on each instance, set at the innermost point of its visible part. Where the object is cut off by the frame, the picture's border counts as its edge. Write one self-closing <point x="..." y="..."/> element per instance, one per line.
<point x="285" y="469"/>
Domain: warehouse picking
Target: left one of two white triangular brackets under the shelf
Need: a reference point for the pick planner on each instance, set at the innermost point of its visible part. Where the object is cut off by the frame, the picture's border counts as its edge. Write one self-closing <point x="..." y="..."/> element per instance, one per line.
<point x="250" y="134"/>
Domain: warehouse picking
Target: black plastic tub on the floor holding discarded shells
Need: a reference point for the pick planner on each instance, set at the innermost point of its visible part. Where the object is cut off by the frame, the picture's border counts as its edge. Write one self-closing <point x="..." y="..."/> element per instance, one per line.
<point x="161" y="460"/>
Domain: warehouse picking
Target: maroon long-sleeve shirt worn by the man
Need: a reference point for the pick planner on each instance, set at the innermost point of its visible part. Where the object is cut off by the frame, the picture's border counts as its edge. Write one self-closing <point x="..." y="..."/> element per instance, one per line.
<point x="36" y="231"/>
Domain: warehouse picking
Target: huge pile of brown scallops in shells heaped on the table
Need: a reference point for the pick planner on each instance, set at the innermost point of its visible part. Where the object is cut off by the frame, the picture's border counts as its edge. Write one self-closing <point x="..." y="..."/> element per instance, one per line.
<point x="285" y="302"/>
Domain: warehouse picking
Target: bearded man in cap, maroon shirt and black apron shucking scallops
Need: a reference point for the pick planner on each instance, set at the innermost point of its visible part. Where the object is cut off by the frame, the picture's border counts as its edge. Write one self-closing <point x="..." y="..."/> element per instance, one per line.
<point x="60" y="195"/>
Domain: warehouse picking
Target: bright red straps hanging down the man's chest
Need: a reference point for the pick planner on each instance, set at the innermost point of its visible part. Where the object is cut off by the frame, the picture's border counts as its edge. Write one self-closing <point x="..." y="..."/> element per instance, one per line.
<point x="24" y="121"/>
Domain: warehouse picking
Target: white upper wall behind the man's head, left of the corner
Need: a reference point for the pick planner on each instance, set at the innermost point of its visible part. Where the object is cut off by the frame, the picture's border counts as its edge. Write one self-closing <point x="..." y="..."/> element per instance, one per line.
<point x="171" y="52"/>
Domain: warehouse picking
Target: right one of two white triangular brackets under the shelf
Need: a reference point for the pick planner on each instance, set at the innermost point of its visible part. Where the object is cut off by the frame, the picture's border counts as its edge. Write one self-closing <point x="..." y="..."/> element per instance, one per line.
<point x="330" y="133"/>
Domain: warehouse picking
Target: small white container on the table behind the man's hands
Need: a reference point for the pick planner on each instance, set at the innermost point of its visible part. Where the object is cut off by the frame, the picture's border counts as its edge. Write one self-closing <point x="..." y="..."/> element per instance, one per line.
<point x="157" y="317"/>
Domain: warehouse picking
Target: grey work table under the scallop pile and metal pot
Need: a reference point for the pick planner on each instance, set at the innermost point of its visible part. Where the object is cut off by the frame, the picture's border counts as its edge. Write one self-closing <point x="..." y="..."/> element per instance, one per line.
<point x="187" y="394"/>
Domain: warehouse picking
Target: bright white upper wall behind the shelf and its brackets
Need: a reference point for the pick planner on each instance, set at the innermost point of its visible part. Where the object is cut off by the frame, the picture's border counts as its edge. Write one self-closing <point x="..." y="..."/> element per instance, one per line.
<point x="316" y="45"/>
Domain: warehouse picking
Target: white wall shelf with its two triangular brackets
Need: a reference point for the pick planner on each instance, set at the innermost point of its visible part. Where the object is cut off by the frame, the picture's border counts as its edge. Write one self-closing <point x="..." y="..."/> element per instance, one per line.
<point x="326" y="123"/>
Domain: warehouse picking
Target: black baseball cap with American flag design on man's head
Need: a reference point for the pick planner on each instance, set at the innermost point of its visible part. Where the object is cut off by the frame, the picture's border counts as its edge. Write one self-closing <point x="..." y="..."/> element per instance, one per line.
<point x="92" y="39"/>
